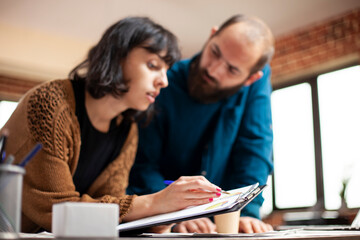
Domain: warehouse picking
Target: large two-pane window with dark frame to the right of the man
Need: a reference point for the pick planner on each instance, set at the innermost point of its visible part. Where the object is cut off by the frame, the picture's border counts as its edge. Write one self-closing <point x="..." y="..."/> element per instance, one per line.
<point x="316" y="126"/>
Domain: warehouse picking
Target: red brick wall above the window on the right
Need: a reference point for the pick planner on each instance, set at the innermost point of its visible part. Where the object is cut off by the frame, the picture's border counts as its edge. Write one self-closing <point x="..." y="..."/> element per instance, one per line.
<point x="323" y="45"/>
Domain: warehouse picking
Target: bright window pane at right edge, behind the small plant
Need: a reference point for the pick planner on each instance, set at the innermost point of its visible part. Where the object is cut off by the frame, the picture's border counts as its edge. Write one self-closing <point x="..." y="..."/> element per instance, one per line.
<point x="339" y="101"/>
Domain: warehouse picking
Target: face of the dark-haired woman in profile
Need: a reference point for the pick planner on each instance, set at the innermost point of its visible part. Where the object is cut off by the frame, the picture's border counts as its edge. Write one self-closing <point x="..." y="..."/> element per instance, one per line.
<point x="146" y="75"/>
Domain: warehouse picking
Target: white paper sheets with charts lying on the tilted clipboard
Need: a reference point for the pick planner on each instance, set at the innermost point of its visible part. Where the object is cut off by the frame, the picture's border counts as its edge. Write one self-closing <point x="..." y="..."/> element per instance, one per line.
<point x="225" y="201"/>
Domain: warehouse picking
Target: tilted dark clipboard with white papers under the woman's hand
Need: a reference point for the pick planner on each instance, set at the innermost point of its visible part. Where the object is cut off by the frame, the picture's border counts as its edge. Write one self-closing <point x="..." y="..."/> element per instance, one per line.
<point x="236" y="200"/>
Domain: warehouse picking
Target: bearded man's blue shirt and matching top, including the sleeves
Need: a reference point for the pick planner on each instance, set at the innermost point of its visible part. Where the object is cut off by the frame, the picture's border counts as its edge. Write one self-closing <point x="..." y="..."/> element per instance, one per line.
<point x="229" y="142"/>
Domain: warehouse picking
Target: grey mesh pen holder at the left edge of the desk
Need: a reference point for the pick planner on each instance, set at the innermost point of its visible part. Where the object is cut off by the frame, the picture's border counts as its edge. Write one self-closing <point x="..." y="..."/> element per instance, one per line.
<point x="11" y="181"/>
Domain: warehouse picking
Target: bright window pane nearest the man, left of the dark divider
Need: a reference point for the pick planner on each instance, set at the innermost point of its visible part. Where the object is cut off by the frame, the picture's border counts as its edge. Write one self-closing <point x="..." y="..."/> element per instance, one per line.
<point x="294" y="157"/>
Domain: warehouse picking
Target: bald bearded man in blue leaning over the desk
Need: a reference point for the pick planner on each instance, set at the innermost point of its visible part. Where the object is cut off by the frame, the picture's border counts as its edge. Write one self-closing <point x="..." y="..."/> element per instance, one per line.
<point x="214" y="119"/>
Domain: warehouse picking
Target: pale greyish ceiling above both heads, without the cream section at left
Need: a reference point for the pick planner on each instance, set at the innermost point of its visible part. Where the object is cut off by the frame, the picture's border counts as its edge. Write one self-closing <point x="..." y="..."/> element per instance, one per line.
<point x="190" y="20"/>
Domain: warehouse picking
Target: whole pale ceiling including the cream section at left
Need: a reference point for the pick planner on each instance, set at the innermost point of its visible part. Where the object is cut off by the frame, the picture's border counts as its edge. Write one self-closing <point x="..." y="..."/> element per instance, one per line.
<point x="45" y="39"/>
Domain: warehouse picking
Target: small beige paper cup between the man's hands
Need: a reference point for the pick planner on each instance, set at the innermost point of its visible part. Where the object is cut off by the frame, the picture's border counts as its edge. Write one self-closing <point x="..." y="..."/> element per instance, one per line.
<point x="227" y="222"/>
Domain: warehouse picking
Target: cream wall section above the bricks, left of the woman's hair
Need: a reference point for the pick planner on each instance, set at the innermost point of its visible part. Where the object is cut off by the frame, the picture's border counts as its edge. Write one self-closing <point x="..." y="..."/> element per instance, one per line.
<point x="49" y="56"/>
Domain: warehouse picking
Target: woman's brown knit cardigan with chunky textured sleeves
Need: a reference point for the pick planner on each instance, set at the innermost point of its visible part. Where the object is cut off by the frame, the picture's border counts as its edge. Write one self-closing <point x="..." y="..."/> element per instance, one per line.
<point x="46" y="114"/>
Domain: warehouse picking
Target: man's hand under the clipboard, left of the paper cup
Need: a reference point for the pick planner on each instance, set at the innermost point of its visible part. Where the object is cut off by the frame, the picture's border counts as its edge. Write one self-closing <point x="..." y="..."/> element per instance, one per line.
<point x="200" y="225"/>
